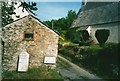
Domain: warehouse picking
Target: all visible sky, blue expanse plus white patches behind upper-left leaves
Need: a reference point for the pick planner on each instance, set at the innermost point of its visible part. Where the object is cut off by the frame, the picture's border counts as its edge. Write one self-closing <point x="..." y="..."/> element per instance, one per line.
<point x="48" y="10"/>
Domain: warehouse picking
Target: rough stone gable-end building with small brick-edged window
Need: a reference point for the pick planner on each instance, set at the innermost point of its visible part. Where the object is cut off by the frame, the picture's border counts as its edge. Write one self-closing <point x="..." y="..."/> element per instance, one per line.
<point x="29" y="35"/>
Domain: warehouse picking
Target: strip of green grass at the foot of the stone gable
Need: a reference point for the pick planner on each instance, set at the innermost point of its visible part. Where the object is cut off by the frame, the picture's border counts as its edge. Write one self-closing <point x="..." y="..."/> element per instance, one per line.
<point x="34" y="73"/>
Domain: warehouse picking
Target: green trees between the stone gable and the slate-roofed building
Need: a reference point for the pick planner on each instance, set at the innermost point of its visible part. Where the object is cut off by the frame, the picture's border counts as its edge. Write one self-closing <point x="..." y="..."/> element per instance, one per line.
<point x="62" y="26"/>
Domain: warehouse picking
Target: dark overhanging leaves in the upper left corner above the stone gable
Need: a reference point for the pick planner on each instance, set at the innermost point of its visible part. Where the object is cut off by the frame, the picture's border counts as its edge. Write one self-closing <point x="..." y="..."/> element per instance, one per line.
<point x="7" y="10"/>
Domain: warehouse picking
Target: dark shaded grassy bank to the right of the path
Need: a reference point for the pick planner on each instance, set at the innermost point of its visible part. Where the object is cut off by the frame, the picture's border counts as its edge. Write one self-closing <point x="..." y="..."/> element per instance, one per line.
<point x="102" y="61"/>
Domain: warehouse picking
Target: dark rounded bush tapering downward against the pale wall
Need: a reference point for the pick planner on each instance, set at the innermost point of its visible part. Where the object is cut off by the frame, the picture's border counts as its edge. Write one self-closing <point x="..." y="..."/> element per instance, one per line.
<point x="102" y="36"/>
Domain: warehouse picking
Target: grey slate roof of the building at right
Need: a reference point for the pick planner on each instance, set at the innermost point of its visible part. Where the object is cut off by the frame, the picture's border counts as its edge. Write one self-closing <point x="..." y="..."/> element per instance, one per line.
<point x="97" y="13"/>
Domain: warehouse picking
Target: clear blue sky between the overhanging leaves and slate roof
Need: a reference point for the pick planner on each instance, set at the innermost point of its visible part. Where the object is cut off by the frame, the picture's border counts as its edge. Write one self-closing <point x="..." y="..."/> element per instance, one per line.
<point x="55" y="10"/>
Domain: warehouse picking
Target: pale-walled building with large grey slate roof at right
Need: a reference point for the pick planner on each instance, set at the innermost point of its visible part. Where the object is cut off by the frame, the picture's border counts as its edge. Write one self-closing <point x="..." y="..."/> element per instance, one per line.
<point x="95" y="16"/>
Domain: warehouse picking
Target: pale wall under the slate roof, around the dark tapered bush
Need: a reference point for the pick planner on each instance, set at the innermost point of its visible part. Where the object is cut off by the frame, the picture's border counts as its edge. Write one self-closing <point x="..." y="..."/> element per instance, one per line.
<point x="113" y="37"/>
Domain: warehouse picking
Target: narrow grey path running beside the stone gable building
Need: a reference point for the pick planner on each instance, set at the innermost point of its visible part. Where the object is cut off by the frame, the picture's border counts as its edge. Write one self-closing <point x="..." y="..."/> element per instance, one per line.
<point x="73" y="71"/>
